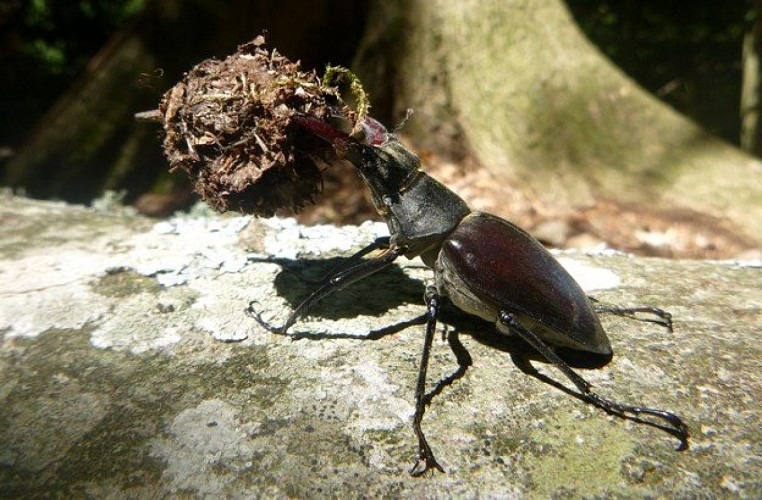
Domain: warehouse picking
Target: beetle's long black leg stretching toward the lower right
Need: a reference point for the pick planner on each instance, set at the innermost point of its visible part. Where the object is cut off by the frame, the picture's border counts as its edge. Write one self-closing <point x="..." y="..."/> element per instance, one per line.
<point x="678" y="427"/>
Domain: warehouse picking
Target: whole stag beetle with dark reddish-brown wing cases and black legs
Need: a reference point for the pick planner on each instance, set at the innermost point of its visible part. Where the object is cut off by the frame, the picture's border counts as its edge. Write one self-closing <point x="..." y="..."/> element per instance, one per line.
<point x="483" y="264"/>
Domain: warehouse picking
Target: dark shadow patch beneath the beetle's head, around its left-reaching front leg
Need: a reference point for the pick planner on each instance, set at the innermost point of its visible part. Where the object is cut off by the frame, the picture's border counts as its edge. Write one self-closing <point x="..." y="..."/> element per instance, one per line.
<point x="379" y="293"/>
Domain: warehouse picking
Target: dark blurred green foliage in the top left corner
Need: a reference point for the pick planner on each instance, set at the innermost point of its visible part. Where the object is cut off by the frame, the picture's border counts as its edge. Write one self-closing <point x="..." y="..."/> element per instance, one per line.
<point x="44" y="46"/>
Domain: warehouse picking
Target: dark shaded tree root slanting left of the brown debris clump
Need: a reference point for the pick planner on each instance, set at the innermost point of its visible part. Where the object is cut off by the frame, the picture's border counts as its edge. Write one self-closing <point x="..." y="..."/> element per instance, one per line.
<point x="85" y="144"/>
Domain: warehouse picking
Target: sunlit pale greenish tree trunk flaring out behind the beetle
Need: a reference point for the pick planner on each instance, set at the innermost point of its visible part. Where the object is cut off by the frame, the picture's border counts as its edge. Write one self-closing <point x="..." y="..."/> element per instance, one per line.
<point x="515" y="86"/>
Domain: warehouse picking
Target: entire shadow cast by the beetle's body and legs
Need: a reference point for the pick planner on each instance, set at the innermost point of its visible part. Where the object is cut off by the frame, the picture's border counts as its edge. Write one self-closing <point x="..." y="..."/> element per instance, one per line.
<point x="298" y="278"/>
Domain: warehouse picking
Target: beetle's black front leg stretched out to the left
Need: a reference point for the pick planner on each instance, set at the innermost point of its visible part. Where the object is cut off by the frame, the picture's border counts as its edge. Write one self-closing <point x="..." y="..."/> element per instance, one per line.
<point x="337" y="281"/>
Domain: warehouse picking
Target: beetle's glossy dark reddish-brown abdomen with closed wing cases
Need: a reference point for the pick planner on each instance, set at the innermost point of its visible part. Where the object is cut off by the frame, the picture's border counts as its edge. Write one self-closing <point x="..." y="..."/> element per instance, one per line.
<point x="488" y="265"/>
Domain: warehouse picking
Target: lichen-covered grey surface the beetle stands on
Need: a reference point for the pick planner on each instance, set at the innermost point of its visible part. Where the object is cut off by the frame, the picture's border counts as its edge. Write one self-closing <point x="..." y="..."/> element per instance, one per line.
<point x="128" y="367"/>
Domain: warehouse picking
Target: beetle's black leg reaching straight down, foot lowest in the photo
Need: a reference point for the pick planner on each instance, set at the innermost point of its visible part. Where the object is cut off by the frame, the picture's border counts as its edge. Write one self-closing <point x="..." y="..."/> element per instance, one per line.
<point x="425" y="459"/>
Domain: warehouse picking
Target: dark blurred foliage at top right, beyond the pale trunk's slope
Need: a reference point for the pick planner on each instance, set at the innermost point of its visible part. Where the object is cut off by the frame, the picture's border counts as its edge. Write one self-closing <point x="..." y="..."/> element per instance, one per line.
<point x="686" y="52"/>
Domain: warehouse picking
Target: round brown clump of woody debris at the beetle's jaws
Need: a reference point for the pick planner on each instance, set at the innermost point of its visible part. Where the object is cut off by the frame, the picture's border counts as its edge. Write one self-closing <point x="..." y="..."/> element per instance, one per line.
<point x="229" y="125"/>
